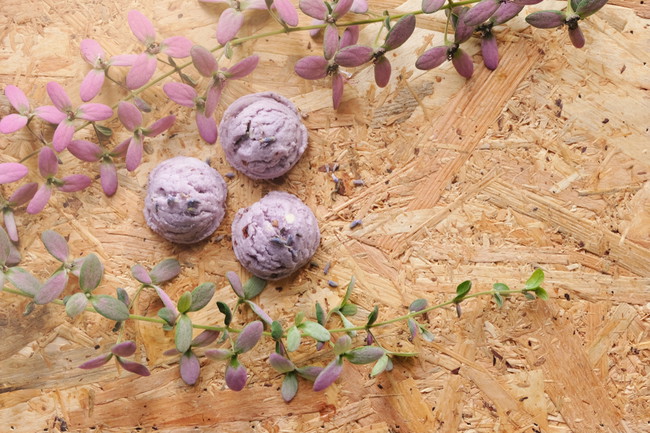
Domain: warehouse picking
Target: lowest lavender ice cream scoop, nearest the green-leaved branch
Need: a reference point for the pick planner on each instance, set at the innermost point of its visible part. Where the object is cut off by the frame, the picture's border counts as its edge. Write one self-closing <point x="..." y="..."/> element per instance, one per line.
<point x="275" y="236"/>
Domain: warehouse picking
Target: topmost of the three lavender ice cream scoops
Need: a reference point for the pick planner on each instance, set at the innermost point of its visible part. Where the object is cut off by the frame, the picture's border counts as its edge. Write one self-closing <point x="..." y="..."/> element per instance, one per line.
<point x="262" y="135"/>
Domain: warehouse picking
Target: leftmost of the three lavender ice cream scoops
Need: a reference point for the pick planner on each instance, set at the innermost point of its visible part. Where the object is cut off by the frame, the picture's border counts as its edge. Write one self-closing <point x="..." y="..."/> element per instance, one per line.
<point x="185" y="200"/>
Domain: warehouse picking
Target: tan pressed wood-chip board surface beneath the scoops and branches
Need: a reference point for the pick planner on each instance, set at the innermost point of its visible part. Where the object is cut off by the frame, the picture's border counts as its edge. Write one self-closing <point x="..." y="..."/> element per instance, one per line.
<point x="544" y="162"/>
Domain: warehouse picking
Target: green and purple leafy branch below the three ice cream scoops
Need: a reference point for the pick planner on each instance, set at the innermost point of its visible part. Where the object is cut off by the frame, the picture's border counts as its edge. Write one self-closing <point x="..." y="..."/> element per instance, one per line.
<point x="344" y="343"/>
